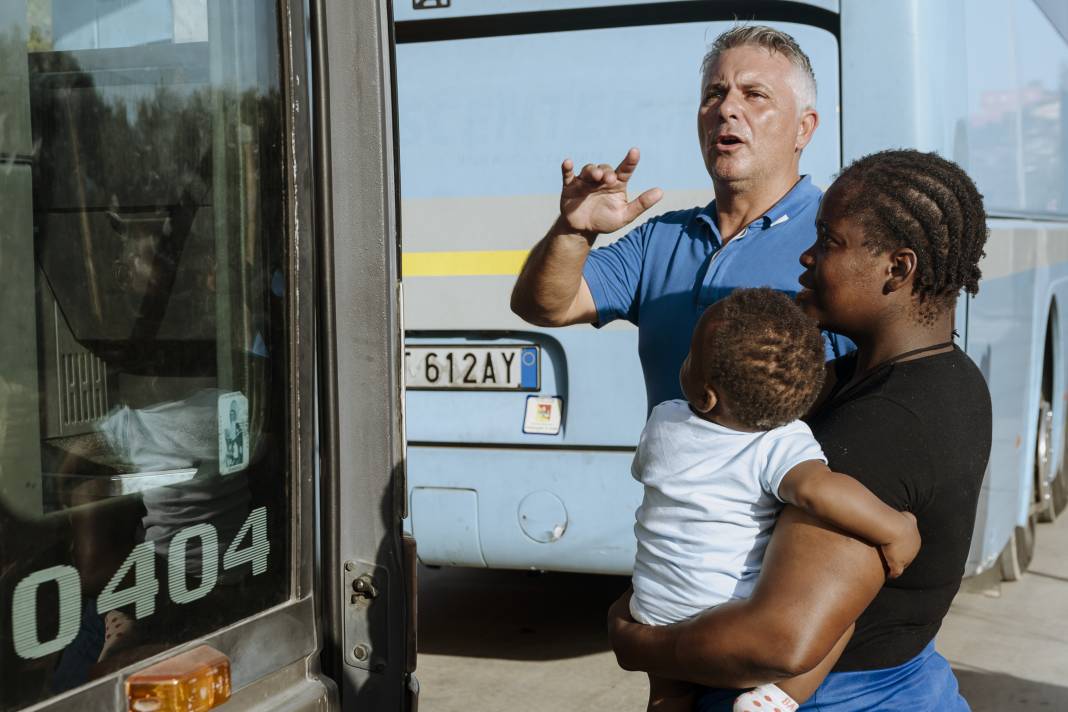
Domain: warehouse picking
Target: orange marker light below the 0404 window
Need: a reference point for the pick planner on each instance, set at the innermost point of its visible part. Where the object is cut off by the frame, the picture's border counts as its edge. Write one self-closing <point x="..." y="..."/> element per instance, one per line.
<point x="194" y="682"/>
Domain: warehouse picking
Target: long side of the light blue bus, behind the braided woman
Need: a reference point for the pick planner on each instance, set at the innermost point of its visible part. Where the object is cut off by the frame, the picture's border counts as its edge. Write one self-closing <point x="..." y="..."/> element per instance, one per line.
<point x="979" y="84"/>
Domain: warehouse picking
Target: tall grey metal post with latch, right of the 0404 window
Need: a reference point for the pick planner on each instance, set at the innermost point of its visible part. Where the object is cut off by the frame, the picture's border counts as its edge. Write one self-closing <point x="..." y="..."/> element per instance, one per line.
<point x="368" y="568"/>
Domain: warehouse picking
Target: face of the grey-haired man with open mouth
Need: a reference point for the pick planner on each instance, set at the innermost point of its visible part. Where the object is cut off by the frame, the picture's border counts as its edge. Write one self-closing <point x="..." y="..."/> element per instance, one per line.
<point x="749" y="123"/>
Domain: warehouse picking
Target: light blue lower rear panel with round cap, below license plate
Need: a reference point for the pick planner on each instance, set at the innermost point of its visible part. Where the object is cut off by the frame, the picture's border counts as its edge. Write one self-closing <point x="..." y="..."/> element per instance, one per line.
<point x="521" y="509"/>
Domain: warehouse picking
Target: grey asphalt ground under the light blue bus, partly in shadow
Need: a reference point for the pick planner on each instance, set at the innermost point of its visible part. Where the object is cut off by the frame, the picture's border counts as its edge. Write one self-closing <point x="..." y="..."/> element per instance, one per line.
<point x="493" y="641"/>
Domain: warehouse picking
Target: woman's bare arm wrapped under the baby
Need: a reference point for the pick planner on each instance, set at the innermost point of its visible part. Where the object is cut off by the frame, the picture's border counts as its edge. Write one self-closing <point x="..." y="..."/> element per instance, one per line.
<point x="814" y="583"/>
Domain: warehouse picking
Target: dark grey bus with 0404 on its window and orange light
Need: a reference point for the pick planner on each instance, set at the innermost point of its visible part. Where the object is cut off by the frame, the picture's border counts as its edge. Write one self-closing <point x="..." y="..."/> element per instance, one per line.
<point x="200" y="290"/>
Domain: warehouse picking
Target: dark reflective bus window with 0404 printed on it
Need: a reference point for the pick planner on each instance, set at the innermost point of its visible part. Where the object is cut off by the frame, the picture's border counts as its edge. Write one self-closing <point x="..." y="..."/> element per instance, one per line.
<point x="144" y="444"/>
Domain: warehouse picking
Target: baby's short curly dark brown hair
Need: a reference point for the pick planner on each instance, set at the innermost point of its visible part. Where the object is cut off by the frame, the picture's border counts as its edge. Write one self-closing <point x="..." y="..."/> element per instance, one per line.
<point x="764" y="356"/>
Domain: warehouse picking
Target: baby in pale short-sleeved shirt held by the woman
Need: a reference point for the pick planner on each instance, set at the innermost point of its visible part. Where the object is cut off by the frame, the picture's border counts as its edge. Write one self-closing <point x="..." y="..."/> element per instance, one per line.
<point x="718" y="467"/>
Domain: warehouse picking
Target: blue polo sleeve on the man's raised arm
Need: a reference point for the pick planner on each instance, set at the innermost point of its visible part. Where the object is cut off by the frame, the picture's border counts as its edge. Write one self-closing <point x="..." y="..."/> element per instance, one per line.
<point x="614" y="274"/>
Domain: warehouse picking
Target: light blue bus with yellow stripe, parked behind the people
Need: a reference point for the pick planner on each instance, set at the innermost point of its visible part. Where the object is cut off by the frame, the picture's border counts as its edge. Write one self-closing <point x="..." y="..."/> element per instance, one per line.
<point x="529" y="468"/>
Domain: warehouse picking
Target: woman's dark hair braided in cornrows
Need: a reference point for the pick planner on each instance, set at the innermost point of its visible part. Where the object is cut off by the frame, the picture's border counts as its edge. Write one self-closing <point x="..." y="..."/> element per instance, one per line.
<point x="909" y="199"/>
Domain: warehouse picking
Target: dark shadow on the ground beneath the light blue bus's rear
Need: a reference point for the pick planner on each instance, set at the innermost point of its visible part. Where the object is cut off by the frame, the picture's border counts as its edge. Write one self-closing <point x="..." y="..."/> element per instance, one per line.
<point x="514" y="615"/>
